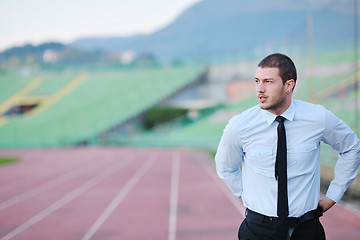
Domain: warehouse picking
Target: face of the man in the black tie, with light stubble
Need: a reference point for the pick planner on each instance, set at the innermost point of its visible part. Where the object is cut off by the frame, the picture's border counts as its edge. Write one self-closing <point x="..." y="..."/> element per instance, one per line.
<point x="271" y="92"/>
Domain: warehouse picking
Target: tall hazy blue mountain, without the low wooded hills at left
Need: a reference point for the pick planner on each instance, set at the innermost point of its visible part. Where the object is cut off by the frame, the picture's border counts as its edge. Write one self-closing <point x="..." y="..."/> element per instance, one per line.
<point x="218" y="28"/>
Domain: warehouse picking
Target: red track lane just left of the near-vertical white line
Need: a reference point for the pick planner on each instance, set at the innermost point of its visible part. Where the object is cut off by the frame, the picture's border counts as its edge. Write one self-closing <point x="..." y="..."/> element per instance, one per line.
<point x="144" y="213"/>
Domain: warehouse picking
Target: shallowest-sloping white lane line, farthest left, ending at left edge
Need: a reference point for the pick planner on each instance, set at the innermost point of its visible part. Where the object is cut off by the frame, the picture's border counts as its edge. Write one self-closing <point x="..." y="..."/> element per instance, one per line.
<point x="44" y="187"/>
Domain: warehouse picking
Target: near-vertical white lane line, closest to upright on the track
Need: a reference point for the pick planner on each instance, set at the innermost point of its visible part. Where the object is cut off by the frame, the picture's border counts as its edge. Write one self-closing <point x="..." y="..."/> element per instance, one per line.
<point x="175" y="175"/>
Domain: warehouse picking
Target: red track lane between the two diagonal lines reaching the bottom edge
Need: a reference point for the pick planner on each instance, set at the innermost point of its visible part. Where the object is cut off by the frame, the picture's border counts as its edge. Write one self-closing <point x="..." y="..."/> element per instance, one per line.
<point x="78" y="215"/>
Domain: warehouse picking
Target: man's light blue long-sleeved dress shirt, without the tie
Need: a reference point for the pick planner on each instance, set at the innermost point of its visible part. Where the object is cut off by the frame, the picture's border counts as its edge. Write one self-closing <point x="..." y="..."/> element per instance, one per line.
<point x="250" y="138"/>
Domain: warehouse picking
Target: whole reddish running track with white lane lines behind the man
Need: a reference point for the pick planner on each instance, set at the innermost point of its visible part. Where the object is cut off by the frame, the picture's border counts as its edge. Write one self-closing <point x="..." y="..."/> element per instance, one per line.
<point x="128" y="194"/>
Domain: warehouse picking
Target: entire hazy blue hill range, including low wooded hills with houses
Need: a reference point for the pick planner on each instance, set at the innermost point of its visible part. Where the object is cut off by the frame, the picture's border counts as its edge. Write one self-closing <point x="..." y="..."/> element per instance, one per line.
<point x="209" y="31"/>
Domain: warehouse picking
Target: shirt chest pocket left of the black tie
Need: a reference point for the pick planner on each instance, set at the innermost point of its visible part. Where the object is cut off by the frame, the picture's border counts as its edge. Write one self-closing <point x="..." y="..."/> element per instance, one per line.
<point x="262" y="160"/>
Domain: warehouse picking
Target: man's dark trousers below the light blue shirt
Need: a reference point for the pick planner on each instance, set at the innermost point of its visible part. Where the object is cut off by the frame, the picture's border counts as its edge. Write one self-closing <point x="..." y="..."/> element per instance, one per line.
<point x="265" y="228"/>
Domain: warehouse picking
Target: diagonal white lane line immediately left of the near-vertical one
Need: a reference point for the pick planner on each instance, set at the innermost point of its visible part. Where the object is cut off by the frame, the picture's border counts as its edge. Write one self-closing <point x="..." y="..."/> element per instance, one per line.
<point x="118" y="199"/>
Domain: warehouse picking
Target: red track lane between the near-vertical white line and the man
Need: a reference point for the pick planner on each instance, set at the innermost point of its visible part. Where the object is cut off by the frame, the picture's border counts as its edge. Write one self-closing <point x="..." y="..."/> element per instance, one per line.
<point x="205" y="212"/>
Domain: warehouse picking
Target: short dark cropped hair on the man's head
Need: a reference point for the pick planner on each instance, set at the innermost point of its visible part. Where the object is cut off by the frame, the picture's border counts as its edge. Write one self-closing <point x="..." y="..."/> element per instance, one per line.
<point x="286" y="66"/>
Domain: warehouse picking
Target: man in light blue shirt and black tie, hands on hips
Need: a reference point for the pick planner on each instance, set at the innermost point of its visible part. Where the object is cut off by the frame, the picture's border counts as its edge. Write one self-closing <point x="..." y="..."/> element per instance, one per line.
<point x="277" y="143"/>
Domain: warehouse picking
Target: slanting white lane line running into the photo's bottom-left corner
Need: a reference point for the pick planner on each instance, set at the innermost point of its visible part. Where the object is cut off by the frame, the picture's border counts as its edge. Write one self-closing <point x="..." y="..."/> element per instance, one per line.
<point x="67" y="198"/>
